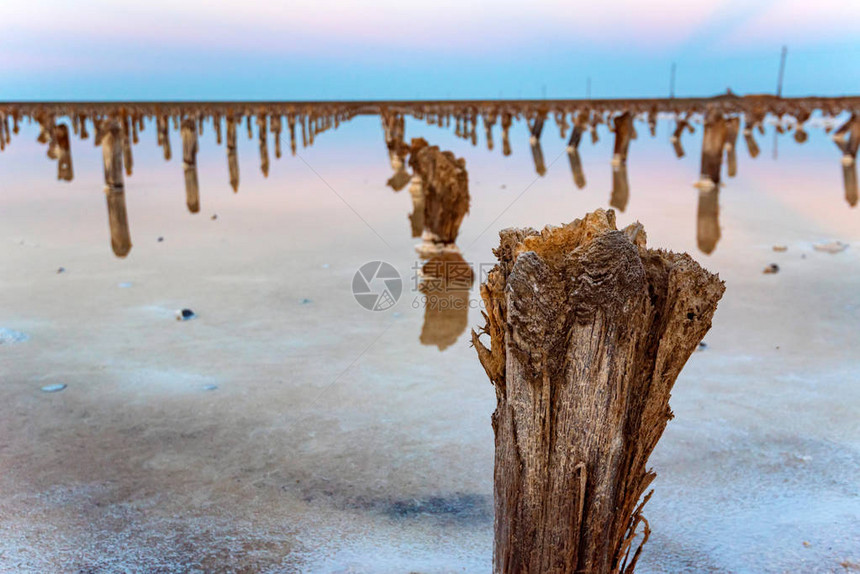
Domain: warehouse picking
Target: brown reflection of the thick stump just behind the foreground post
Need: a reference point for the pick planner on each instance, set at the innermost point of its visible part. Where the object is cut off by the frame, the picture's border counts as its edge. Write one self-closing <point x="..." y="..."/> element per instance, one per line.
<point x="446" y="281"/>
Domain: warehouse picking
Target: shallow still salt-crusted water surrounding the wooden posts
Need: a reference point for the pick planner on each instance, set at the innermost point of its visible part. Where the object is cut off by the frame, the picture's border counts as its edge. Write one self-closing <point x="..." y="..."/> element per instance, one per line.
<point x="335" y="441"/>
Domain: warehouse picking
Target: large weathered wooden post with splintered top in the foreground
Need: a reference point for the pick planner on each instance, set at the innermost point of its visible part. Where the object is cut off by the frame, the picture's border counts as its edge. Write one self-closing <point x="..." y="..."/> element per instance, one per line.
<point x="588" y="330"/>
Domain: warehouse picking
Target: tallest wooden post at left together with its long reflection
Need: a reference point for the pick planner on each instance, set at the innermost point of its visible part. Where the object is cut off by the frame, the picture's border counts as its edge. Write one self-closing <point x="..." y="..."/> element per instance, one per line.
<point x="110" y="134"/>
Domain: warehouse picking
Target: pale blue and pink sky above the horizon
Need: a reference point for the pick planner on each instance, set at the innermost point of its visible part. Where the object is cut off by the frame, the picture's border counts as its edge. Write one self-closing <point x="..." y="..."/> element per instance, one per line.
<point x="328" y="49"/>
